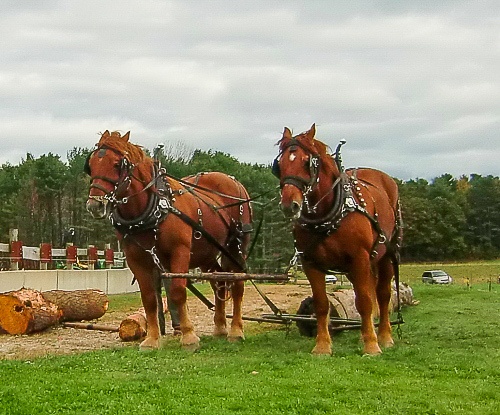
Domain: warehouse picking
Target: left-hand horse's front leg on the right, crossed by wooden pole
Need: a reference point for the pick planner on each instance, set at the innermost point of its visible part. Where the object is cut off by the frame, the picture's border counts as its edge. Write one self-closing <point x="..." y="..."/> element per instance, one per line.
<point x="180" y="264"/>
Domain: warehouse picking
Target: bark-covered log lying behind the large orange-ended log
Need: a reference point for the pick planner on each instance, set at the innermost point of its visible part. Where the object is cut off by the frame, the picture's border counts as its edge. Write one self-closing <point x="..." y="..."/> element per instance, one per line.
<point x="79" y="305"/>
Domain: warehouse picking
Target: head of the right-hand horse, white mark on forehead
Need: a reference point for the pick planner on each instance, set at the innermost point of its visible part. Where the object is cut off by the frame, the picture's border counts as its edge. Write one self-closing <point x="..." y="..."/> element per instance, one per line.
<point x="298" y="167"/>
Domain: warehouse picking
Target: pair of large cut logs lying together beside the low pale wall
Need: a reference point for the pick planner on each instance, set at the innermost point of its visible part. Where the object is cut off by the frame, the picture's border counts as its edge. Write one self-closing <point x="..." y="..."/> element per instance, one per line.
<point x="28" y="311"/>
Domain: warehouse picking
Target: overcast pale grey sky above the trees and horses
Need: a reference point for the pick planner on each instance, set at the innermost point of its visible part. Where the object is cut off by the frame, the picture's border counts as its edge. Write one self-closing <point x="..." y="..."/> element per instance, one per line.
<point x="413" y="86"/>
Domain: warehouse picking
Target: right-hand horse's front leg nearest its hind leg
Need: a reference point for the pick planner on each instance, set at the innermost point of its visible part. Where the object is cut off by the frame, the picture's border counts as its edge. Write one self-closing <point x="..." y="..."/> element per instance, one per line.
<point x="363" y="282"/>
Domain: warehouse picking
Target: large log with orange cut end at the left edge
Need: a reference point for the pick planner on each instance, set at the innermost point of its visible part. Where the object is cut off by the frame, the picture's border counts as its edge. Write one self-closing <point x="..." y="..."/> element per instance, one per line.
<point x="26" y="311"/>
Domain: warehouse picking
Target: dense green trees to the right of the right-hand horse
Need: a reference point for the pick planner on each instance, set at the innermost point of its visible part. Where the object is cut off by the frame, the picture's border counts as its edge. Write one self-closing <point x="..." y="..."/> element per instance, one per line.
<point x="451" y="219"/>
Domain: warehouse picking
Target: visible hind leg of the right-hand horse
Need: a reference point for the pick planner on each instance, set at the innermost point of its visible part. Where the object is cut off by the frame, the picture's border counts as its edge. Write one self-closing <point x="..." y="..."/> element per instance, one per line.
<point x="385" y="274"/>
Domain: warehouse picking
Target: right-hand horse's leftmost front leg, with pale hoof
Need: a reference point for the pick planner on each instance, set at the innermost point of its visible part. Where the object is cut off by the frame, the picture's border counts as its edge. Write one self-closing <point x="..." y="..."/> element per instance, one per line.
<point x="321" y="308"/>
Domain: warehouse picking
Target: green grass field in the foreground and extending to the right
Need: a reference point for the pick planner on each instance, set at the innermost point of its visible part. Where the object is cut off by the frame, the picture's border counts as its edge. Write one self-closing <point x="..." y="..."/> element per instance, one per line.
<point x="447" y="362"/>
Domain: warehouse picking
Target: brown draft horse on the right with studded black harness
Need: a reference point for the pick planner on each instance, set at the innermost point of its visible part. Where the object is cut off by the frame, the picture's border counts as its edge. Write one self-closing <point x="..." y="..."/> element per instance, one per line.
<point x="348" y="221"/>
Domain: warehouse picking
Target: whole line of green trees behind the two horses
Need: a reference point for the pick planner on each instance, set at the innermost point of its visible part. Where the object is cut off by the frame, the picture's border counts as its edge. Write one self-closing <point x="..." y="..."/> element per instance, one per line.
<point x="445" y="219"/>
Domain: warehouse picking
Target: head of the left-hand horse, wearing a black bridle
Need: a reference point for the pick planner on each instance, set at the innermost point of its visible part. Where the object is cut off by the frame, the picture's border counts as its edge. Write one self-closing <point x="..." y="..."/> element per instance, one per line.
<point x="110" y="168"/>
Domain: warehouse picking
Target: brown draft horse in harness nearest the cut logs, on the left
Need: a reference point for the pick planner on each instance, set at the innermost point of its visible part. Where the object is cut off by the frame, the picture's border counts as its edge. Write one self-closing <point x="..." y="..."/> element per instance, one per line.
<point x="173" y="225"/>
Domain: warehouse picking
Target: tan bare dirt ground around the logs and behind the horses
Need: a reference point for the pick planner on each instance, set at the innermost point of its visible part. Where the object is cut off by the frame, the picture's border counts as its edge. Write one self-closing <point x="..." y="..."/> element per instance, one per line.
<point x="62" y="340"/>
